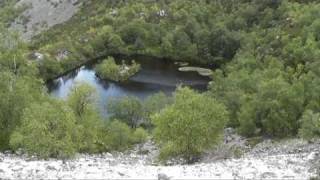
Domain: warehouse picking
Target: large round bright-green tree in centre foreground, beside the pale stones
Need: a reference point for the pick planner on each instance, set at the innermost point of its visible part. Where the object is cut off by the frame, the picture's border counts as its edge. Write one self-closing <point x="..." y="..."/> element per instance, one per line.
<point x="191" y="125"/>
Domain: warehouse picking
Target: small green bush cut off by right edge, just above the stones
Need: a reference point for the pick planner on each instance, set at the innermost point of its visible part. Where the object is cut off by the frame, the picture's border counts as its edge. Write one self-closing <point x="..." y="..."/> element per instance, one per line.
<point x="310" y="127"/>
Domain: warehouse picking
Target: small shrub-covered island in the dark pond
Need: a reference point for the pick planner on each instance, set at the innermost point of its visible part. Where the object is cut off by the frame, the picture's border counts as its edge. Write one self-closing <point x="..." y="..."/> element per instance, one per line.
<point x="109" y="70"/>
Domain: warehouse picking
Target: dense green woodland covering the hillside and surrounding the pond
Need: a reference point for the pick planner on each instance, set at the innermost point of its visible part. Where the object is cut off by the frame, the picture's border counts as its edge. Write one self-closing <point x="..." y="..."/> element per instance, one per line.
<point x="266" y="83"/>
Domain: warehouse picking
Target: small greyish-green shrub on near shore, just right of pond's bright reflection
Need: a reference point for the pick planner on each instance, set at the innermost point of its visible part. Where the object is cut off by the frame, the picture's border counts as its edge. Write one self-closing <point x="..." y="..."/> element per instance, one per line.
<point x="127" y="109"/>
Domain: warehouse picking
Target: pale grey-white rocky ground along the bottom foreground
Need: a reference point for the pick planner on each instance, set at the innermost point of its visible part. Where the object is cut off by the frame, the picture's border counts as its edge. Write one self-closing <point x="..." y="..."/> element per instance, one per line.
<point x="292" y="159"/>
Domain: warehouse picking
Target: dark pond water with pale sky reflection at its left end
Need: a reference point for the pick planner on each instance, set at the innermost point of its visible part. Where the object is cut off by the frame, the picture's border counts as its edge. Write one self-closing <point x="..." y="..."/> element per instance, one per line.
<point x="155" y="76"/>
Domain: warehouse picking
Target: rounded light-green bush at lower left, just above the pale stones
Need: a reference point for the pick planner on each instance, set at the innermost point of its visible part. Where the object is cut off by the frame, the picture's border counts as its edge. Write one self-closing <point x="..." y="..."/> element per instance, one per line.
<point x="47" y="130"/>
